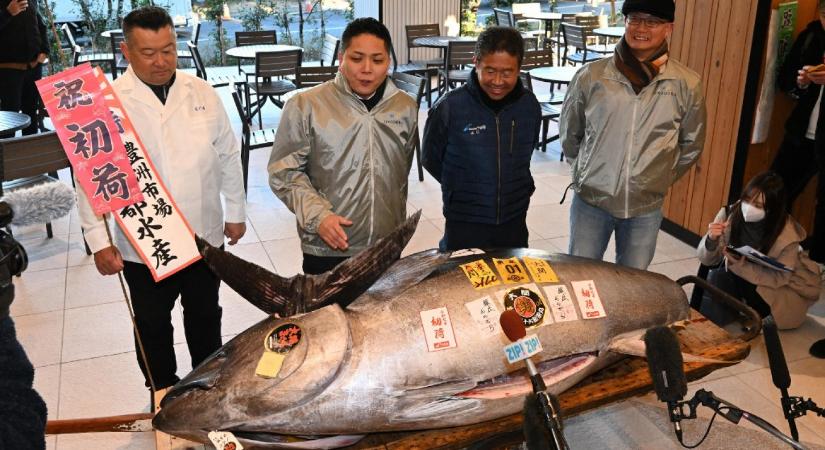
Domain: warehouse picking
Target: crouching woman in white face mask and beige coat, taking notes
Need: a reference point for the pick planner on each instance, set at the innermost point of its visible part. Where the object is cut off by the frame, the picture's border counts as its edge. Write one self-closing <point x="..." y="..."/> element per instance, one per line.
<point x="760" y="219"/>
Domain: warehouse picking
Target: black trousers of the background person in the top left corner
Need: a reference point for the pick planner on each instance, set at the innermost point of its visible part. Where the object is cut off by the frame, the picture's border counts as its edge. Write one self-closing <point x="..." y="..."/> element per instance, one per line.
<point x="18" y="93"/>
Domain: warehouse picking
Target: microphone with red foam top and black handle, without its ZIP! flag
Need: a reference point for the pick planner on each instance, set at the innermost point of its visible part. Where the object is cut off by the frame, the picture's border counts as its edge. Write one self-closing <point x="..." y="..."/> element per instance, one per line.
<point x="545" y="432"/>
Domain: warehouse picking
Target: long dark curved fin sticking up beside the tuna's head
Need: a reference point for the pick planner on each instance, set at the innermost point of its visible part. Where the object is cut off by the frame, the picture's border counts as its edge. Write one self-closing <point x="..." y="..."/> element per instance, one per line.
<point x="274" y="294"/>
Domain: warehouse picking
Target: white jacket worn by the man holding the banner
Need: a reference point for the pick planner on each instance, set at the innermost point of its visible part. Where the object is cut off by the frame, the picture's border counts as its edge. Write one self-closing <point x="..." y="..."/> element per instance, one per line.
<point x="191" y="144"/>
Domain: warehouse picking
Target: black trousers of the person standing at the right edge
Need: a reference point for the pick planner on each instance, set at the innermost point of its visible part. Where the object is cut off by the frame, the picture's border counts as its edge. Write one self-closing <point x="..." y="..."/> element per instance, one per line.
<point x="797" y="161"/>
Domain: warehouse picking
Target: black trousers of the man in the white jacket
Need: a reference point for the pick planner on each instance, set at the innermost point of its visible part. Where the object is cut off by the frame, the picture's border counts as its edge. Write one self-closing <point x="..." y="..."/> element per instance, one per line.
<point x="152" y="302"/>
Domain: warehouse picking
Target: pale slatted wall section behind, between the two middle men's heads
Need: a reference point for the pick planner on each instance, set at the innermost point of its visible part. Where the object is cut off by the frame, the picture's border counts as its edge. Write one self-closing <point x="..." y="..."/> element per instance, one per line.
<point x="398" y="13"/>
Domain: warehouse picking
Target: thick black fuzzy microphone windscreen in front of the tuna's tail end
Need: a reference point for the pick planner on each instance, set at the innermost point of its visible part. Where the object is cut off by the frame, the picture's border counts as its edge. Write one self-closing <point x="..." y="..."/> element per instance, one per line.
<point x="664" y="359"/>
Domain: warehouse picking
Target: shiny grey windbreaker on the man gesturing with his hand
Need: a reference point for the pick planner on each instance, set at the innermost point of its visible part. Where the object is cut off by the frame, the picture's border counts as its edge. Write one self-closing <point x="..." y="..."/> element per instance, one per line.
<point x="332" y="156"/>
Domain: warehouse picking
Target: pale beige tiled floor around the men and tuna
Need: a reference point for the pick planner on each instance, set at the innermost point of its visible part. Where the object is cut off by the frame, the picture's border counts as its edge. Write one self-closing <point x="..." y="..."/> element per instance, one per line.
<point x="75" y="326"/>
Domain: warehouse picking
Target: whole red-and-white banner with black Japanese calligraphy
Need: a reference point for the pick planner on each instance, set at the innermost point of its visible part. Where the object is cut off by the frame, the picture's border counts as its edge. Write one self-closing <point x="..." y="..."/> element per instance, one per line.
<point x="151" y="220"/>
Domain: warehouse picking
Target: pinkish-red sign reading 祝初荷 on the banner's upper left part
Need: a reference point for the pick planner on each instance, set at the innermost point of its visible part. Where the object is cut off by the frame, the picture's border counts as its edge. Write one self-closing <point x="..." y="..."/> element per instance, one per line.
<point x="90" y="138"/>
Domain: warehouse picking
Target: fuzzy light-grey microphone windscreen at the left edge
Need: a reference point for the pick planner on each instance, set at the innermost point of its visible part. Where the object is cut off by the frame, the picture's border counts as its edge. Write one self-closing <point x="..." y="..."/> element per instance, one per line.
<point x="42" y="203"/>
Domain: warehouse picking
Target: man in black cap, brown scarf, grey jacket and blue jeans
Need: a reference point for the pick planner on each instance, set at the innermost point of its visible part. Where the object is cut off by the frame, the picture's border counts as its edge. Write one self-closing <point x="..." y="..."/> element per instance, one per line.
<point x="630" y="126"/>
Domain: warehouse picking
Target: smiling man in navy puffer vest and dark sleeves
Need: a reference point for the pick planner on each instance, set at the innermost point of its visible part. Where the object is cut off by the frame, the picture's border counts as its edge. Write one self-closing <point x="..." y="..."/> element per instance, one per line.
<point x="478" y="142"/>
